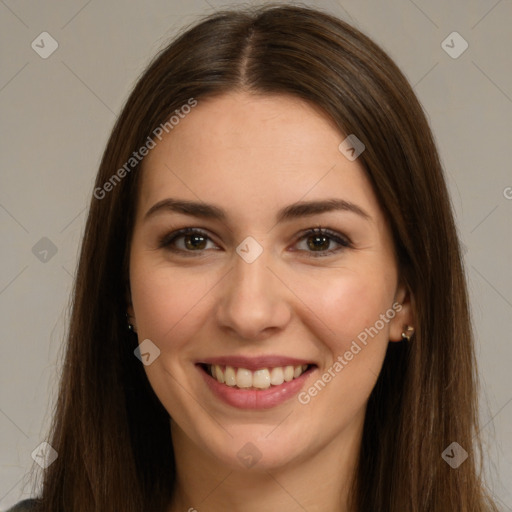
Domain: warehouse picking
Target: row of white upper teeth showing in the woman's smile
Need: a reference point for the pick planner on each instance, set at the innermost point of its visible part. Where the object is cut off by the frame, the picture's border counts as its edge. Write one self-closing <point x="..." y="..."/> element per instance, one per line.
<point x="259" y="379"/>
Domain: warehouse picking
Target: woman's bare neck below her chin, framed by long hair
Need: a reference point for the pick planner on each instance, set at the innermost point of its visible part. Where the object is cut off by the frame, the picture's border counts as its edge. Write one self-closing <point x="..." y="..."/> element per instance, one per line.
<point x="316" y="482"/>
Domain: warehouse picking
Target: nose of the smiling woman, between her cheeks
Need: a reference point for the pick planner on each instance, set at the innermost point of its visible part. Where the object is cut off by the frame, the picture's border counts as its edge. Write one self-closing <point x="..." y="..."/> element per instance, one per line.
<point x="253" y="302"/>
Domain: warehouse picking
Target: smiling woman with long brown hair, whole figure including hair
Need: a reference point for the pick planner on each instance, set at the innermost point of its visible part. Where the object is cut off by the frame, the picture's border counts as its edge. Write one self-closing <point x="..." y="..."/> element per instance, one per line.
<point x="270" y="309"/>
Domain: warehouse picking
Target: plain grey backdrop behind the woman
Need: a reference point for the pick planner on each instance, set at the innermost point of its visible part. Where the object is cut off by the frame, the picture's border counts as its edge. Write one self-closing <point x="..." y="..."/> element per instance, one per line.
<point x="57" y="114"/>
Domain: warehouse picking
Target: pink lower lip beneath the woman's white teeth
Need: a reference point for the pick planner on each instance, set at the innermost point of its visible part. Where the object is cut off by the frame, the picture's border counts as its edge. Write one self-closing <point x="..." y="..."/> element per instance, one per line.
<point x="256" y="399"/>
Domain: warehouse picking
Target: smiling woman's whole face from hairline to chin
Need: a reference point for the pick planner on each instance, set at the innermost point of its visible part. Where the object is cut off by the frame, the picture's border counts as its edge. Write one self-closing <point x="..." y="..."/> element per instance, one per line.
<point x="284" y="284"/>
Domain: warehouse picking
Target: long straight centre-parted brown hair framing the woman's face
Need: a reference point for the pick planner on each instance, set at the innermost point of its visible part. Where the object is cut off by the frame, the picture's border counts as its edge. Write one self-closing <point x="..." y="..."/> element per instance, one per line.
<point x="111" y="432"/>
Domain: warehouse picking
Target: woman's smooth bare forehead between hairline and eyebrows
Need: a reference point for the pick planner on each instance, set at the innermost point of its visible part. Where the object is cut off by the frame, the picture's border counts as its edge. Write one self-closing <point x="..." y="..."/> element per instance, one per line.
<point x="253" y="154"/>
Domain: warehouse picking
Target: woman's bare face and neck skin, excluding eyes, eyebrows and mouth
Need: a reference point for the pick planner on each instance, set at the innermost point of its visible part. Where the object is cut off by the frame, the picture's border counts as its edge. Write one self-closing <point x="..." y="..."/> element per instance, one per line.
<point x="252" y="155"/>
